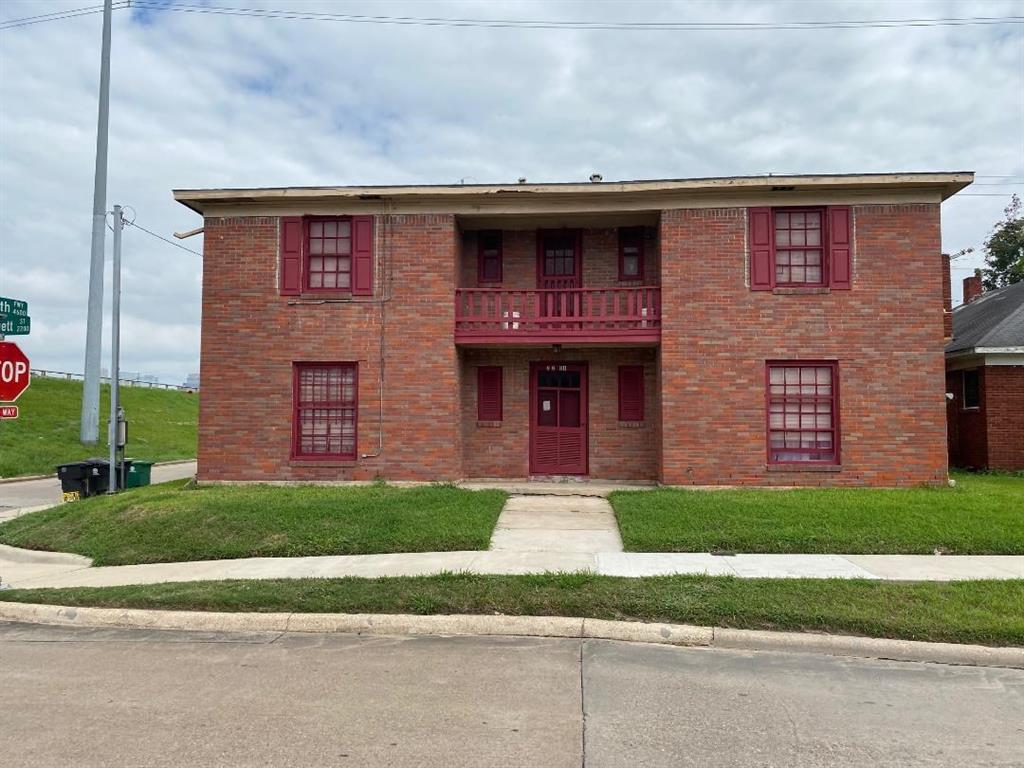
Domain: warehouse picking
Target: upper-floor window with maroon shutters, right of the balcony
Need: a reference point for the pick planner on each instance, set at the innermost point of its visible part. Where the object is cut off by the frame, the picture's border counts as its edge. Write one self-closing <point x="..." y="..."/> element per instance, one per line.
<point x="794" y="248"/>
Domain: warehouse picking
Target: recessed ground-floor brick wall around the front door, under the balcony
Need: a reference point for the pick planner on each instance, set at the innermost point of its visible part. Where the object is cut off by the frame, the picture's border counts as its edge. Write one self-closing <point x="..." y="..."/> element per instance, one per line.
<point x="621" y="452"/>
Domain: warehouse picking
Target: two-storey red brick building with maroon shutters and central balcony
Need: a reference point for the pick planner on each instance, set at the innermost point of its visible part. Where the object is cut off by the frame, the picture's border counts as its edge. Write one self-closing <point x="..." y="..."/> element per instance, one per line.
<point x="781" y="330"/>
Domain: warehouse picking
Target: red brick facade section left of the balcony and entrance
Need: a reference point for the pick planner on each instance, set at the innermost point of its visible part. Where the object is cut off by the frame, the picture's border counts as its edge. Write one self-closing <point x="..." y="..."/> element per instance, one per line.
<point x="251" y="337"/>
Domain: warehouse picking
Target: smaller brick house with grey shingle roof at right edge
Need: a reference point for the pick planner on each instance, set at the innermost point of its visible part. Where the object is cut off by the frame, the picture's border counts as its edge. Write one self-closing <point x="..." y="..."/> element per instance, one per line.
<point x="986" y="379"/>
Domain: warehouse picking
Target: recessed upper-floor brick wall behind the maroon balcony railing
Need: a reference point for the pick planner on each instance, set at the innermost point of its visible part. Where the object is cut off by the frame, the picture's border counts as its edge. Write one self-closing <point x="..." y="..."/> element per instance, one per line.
<point x="601" y="260"/>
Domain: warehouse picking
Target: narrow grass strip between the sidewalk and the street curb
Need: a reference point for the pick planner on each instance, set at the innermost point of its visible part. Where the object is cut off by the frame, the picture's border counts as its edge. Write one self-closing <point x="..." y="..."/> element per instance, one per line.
<point x="988" y="613"/>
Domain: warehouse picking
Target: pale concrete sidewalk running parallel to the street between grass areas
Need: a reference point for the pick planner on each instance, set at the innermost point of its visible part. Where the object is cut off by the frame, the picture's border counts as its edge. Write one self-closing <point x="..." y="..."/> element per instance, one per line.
<point x="20" y="569"/>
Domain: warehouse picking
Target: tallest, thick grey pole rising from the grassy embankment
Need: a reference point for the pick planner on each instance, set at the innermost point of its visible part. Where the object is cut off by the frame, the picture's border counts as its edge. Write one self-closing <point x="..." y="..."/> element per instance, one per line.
<point x="95" y="329"/>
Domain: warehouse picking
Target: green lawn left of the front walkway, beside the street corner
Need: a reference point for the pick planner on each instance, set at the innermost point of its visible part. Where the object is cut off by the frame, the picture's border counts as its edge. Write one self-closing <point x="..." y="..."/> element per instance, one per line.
<point x="176" y="522"/>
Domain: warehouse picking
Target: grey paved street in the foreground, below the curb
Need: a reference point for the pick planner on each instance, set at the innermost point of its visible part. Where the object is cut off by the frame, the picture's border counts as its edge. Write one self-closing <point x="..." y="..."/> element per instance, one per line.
<point x="130" y="698"/>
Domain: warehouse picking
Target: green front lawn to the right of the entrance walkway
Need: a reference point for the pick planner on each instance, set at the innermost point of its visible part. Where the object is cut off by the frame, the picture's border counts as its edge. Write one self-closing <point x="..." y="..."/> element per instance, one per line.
<point x="985" y="515"/>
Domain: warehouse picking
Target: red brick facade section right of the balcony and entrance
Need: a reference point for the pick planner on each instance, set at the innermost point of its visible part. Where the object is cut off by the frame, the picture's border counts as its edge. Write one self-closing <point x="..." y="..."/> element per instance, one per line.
<point x="887" y="334"/>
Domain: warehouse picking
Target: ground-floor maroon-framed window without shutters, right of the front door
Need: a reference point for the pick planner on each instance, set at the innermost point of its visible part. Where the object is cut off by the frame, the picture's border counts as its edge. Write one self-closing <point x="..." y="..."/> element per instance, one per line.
<point x="803" y="414"/>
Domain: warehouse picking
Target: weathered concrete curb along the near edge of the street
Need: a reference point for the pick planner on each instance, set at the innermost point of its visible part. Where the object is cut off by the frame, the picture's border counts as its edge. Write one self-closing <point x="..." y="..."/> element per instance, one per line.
<point x="564" y="627"/>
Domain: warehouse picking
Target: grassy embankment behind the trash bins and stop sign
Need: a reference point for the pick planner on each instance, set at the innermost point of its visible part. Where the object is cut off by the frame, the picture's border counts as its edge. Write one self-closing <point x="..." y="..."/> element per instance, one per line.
<point x="162" y="426"/>
